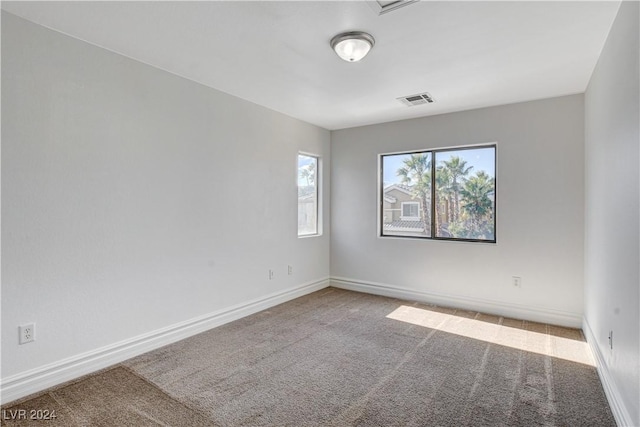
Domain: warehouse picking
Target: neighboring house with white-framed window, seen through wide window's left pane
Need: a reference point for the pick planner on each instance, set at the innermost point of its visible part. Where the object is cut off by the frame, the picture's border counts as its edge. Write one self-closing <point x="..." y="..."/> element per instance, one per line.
<point x="401" y="212"/>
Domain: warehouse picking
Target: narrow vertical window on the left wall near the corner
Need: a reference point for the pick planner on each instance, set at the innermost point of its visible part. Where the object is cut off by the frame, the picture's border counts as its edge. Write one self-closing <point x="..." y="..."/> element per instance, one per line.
<point x="308" y="178"/>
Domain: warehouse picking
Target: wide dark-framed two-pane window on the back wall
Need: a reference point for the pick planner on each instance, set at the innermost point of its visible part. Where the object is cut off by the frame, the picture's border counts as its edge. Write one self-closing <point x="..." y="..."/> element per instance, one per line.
<point x="447" y="194"/>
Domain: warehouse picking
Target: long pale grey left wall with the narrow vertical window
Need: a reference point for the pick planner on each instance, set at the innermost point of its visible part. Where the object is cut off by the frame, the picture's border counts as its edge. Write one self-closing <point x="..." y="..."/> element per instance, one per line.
<point x="133" y="199"/>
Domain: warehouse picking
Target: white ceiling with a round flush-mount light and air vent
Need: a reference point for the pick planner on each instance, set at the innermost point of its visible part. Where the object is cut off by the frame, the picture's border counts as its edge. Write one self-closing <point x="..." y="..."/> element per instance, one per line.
<point x="277" y="54"/>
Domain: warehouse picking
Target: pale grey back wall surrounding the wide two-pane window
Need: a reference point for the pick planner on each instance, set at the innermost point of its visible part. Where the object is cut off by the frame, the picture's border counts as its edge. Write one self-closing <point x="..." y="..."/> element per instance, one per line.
<point x="540" y="210"/>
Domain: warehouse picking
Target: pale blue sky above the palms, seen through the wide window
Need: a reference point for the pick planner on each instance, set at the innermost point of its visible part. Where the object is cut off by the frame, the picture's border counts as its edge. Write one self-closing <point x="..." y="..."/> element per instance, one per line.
<point x="479" y="158"/>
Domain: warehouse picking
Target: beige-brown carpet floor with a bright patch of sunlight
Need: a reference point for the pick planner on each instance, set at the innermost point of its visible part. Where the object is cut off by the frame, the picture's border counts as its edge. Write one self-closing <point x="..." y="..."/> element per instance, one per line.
<point x="340" y="358"/>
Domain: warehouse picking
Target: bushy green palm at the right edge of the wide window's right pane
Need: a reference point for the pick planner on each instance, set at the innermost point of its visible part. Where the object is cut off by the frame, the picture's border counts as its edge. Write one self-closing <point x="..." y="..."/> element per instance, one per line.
<point x="476" y="201"/>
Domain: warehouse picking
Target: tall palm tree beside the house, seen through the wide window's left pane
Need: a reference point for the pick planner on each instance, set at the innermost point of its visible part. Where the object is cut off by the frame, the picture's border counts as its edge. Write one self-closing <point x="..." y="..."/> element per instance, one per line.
<point x="416" y="173"/>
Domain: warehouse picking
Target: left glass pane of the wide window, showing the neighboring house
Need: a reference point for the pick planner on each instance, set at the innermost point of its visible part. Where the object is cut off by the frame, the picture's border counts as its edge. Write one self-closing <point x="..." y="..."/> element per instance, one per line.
<point x="406" y="195"/>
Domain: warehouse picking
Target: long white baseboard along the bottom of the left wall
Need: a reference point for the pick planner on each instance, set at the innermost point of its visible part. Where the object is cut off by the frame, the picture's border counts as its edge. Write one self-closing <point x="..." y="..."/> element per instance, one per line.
<point x="41" y="378"/>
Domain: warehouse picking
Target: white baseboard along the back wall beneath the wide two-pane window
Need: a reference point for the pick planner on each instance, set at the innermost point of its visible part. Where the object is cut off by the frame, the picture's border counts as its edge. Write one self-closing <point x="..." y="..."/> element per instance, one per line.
<point x="543" y="315"/>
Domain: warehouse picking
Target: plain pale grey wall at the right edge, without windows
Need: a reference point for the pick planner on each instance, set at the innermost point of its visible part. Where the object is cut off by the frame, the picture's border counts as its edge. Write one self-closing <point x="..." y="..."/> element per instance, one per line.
<point x="612" y="242"/>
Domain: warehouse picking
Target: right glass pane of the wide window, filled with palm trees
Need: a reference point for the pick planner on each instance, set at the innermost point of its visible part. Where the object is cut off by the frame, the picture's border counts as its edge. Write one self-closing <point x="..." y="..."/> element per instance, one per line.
<point x="465" y="193"/>
